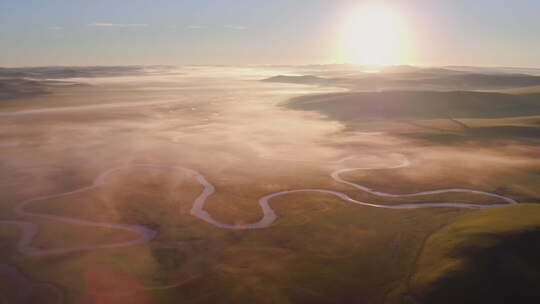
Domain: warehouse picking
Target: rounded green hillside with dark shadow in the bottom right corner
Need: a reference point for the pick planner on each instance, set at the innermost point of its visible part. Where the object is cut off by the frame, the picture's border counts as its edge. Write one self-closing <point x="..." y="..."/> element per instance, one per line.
<point x="490" y="256"/>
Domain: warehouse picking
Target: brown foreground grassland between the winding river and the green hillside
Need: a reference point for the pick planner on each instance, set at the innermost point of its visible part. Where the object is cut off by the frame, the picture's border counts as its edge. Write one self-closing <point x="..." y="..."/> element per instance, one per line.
<point x="307" y="257"/>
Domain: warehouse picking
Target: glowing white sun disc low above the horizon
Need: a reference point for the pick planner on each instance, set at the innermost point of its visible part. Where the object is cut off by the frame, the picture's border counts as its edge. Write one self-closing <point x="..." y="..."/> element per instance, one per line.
<point x="372" y="35"/>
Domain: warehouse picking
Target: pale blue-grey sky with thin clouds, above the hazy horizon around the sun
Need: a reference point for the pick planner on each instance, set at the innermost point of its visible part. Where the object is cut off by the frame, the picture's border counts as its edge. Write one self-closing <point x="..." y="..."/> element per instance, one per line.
<point x="240" y="32"/>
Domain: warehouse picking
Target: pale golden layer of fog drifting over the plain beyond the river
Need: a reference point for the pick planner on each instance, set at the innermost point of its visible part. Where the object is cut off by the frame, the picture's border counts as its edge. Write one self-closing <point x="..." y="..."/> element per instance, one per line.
<point x="220" y="121"/>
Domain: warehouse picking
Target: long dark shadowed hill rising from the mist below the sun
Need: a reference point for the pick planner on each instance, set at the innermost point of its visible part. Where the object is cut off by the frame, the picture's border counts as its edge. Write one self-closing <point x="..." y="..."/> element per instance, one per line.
<point x="373" y="106"/>
